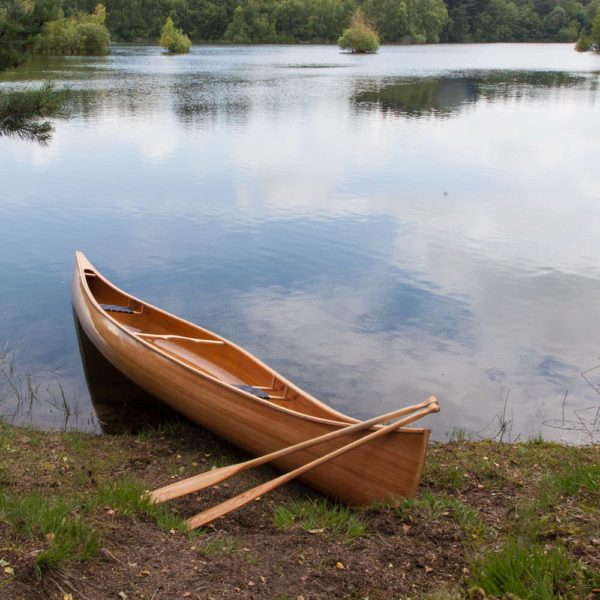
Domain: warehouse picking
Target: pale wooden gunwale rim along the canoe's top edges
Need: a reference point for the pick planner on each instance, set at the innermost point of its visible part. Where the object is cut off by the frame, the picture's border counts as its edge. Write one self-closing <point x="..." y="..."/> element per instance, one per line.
<point x="83" y="264"/>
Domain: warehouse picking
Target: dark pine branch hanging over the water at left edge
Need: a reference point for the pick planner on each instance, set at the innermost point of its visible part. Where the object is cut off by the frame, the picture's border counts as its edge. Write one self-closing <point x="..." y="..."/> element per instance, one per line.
<point x="21" y="112"/>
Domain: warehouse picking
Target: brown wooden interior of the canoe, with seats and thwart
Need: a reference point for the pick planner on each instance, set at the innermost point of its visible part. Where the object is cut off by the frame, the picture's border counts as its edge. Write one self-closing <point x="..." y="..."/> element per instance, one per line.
<point x="200" y="349"/>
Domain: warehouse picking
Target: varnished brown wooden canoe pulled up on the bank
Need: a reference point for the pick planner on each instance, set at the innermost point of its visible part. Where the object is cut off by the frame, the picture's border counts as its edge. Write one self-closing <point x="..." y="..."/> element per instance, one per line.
<point x="228" y="391"/>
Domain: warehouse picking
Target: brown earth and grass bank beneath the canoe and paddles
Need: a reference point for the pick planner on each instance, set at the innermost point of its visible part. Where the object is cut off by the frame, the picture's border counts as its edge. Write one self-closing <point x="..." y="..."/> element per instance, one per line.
<point x="490" y="520"/>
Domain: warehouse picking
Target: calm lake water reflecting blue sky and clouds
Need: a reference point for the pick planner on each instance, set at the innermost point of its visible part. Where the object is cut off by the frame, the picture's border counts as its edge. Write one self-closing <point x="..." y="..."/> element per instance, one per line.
<point x="377" y="228"/>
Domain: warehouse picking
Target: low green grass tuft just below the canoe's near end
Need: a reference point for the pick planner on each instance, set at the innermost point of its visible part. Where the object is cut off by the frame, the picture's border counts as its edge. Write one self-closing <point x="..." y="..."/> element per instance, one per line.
<point x="320" y="514"/>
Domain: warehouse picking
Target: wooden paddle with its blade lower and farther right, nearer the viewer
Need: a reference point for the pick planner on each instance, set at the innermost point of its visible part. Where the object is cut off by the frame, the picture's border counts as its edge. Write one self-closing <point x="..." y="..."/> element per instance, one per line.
<point x="244" y="498"/>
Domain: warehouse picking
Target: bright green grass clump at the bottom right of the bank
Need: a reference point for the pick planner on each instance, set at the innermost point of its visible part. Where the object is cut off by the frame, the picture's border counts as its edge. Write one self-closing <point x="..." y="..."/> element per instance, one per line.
<point x="529" y="572"/>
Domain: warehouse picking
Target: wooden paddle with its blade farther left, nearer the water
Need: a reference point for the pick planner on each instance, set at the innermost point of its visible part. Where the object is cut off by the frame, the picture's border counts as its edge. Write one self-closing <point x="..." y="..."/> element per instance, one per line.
<point x="210" y="478"/>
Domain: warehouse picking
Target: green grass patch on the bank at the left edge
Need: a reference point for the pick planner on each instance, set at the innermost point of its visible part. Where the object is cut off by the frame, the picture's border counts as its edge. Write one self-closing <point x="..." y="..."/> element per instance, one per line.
<point x="57" y="523"/>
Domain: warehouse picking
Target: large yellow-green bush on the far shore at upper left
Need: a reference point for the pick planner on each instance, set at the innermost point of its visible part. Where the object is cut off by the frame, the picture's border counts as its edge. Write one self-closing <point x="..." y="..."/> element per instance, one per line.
<point x="78" y="34"/>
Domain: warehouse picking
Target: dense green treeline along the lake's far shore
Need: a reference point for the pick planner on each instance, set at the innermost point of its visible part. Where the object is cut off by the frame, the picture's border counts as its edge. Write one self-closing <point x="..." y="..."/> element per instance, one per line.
<point x="397" y="21"/>
